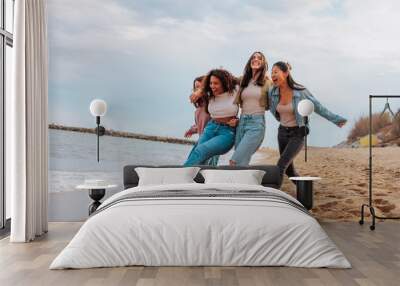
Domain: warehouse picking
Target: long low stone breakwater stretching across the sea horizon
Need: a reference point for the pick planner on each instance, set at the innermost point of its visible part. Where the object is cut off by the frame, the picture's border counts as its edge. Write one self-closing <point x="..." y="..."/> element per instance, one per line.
<point x="123" y="134"/>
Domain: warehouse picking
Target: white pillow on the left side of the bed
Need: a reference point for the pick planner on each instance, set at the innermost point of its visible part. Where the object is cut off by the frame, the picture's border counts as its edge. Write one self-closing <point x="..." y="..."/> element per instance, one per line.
<point x="165" y="176"/>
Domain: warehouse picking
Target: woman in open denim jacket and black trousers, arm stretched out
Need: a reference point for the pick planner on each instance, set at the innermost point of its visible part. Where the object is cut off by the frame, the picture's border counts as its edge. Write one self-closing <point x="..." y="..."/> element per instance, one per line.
<point x="284" y="98"/>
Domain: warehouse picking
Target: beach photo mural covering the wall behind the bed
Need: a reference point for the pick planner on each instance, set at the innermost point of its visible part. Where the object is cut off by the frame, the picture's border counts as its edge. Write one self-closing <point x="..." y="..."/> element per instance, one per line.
<point x="143" y="61"/>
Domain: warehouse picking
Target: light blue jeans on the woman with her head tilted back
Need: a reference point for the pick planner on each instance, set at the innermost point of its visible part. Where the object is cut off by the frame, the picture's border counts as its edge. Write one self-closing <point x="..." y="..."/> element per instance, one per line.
<point x="249" y="137"/>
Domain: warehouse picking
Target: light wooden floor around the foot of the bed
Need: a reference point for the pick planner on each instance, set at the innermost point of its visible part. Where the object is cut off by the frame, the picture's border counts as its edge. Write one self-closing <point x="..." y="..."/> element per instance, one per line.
<point x="375" y="257"/>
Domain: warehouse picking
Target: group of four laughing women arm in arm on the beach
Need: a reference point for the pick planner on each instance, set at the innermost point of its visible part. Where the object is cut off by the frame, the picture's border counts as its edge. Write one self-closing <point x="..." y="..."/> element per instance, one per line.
<point x="255" y="94"/>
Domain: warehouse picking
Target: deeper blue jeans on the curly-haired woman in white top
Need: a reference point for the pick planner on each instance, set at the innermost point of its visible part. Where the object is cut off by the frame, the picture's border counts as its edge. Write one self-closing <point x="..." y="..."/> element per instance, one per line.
<point x="217" y="139"/>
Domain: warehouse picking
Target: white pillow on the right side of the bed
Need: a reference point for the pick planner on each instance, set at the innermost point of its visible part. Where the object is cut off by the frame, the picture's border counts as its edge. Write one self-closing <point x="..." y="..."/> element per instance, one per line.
<point x="249" y="177"/>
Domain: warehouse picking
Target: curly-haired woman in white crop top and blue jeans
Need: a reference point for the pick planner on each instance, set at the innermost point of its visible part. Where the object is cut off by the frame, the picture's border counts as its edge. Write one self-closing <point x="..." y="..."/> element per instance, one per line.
<point x="219" y="90"/>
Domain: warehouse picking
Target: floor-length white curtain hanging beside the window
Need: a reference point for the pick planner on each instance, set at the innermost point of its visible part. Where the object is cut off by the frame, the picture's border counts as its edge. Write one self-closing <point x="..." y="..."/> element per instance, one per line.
<point x="26" y="123"/>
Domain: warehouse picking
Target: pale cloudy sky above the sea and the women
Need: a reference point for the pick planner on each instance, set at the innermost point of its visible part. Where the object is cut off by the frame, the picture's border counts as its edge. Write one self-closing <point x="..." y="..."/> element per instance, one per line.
<point x="141" y="57"/>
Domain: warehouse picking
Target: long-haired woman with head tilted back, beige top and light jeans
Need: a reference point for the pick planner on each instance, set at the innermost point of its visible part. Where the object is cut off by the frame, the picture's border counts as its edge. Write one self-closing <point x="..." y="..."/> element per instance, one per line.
<point x="253" y="100"/>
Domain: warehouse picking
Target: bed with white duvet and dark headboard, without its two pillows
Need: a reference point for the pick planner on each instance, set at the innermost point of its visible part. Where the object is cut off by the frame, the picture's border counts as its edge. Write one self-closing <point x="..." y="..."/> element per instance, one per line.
<point x="197" y="224"/>
